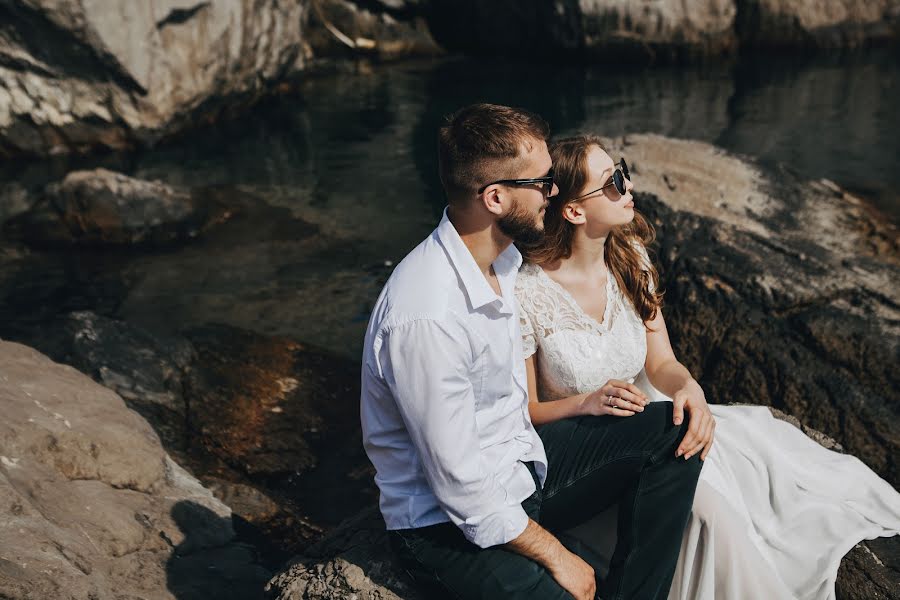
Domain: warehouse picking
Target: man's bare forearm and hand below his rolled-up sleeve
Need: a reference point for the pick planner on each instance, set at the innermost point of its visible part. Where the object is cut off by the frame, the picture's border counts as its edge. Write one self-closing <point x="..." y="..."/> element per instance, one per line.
<point x="568" y="569"/>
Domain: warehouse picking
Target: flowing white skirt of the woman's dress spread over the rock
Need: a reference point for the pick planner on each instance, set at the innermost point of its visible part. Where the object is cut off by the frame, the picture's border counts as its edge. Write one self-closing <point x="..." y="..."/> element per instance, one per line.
<point x="774" y="513"/>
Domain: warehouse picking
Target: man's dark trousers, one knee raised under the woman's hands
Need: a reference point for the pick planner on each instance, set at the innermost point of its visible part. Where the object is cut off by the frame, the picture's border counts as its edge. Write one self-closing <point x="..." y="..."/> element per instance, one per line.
<point x="593" y="463"/>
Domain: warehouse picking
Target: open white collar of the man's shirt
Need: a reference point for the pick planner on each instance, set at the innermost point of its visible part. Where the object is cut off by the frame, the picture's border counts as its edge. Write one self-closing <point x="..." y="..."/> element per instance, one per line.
<point x="474" y="283"/>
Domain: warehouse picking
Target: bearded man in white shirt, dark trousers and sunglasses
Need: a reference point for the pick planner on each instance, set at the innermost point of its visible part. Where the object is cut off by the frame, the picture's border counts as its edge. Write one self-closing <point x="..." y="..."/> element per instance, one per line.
<point x="444" y="402"/>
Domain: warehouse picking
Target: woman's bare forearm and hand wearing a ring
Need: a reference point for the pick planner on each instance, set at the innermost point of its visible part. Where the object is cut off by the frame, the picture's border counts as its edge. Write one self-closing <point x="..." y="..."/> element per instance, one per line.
<point x="627" y="400"/>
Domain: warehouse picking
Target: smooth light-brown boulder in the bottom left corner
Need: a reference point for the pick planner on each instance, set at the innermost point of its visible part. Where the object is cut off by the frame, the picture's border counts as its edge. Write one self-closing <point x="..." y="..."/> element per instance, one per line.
<point x="90" y="504"/>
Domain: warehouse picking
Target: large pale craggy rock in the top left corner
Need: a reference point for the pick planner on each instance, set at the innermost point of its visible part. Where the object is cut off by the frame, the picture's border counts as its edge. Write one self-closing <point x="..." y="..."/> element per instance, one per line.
<point x="76" y="75"/>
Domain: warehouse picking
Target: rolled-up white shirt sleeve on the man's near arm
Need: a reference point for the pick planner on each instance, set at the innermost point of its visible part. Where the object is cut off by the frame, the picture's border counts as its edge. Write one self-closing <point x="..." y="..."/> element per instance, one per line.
<point x="427" y="364"/>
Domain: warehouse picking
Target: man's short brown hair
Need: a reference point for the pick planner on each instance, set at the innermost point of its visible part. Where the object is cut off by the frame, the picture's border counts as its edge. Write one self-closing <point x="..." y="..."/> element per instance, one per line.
<point x="481" y="142"/>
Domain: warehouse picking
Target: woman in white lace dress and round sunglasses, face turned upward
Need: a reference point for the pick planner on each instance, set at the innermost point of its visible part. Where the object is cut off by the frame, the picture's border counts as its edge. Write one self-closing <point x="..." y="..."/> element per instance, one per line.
<point x="774" y="512"/>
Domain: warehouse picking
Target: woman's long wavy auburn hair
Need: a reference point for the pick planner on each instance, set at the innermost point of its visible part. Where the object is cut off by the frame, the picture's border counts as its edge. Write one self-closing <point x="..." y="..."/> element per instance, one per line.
<point x="622" y="257"/>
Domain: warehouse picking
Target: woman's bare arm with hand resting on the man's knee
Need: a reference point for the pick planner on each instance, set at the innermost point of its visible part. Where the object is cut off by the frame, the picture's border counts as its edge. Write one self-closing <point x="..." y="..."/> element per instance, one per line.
<point x="674" y="380"/>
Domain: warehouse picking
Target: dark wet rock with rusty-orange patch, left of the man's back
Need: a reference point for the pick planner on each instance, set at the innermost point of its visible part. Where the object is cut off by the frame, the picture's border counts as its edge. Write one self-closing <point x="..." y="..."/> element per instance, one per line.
<point x="270" y="426"/>
